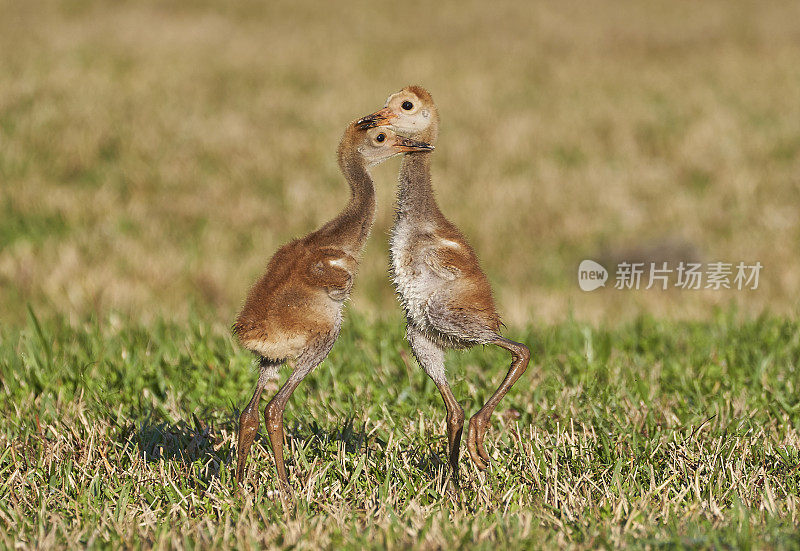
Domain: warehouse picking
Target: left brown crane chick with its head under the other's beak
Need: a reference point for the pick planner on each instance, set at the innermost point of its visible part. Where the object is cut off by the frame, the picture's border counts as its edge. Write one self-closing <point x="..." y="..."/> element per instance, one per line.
<point x="294" y="311"/>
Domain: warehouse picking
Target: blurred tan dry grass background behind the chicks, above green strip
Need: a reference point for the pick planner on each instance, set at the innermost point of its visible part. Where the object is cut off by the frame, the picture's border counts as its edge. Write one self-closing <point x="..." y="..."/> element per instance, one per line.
<point x="153" y="155"/>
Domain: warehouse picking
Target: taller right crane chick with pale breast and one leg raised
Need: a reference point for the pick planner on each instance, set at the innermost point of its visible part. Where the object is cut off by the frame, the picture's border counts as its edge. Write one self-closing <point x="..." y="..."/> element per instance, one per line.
<point x="446" y="296"/>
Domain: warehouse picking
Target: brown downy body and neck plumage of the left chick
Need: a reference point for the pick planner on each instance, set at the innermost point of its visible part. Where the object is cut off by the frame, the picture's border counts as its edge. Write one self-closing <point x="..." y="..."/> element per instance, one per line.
<point x="299" y="296"/>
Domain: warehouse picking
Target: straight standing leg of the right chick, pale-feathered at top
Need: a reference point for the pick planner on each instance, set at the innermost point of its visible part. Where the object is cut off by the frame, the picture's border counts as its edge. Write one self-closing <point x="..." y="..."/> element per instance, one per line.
<point x="431" y="358"/>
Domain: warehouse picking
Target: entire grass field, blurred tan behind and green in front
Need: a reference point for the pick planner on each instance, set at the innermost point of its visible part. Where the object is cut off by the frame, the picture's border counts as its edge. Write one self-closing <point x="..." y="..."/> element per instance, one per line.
<point x="154" y="154"/>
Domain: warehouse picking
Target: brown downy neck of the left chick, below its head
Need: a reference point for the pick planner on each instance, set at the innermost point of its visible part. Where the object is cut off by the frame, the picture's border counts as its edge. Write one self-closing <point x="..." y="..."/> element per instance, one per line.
<point x="351" y="228"/>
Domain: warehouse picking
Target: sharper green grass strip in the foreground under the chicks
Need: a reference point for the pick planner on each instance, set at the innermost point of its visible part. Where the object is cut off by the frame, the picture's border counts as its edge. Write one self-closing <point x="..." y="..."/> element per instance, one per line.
<point x="652" y="434"/>
